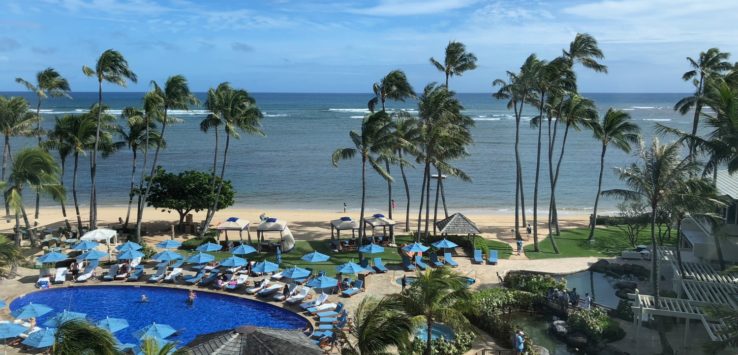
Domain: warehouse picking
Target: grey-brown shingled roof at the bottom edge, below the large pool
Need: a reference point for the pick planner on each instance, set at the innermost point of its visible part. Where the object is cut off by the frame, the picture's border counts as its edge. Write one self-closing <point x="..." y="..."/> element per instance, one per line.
<point x="249" y="340"/>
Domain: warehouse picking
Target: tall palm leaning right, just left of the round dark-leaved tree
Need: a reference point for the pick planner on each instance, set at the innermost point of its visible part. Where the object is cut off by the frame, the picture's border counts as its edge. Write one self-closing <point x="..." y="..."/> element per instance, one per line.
<point x="175" y="95"/>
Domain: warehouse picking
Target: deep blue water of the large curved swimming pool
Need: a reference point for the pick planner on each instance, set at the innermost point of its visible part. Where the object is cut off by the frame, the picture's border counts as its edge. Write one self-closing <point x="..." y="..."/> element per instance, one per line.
<point x="210" y="313"/>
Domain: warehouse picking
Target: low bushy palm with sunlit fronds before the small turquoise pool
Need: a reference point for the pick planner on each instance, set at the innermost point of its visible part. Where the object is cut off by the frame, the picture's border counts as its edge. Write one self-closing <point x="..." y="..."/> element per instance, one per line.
<point x="437" y="295"/>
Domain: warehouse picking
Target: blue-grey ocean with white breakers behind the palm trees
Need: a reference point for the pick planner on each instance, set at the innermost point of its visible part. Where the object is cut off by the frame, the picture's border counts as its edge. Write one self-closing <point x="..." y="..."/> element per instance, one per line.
<point x="291" y="167"/>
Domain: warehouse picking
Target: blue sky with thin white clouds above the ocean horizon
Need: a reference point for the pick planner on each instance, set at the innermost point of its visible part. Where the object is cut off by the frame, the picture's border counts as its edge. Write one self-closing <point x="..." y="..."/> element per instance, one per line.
<point x="344" y="46"/>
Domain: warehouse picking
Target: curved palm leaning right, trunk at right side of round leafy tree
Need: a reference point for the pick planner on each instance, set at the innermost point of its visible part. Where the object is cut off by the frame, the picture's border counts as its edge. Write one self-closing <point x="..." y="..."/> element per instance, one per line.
<point x="237" y="112"/>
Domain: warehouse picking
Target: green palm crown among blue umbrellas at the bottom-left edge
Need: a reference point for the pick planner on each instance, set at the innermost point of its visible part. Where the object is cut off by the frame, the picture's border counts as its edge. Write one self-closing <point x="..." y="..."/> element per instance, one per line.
<point x="82" y="337"/>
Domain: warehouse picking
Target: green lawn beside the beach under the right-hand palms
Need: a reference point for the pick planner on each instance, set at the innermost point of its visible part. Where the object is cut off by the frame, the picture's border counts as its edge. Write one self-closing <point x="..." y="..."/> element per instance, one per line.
<point x="609" y="241"/>
